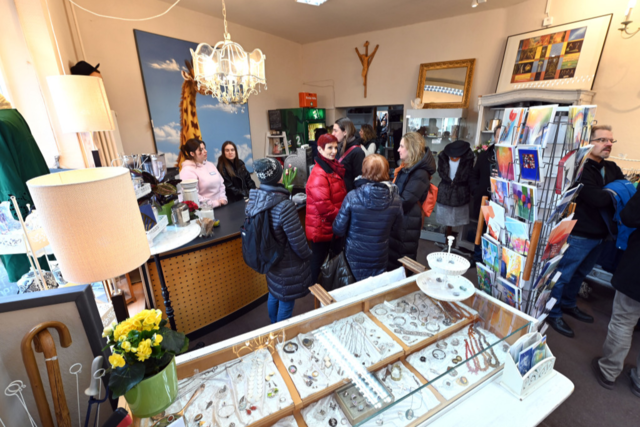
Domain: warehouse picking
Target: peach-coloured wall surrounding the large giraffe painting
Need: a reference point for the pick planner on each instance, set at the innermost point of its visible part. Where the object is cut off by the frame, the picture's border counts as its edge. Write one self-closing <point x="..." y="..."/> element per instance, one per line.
<point x="111" y="43"/>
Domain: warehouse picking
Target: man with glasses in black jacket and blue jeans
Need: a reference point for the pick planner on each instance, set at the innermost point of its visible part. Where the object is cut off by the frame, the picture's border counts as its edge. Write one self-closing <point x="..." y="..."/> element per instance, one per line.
<point x="585" y="241"/>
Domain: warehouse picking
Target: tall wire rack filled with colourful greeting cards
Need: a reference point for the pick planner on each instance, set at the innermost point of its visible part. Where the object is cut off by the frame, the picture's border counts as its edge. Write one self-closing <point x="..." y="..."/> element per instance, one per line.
<point x="550" y="197"/>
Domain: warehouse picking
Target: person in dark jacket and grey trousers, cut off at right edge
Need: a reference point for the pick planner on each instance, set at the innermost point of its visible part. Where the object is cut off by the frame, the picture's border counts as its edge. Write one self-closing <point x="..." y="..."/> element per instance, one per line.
<point x="626" y="307"/>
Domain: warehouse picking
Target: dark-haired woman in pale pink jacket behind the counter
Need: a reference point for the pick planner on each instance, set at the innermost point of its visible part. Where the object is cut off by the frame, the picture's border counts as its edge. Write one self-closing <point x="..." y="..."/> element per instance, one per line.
<point x="210" y="183"/>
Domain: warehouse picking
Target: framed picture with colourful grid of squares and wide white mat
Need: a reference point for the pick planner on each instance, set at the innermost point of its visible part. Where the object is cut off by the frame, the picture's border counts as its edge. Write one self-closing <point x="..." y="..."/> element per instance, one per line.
<point x="561" y="57"/>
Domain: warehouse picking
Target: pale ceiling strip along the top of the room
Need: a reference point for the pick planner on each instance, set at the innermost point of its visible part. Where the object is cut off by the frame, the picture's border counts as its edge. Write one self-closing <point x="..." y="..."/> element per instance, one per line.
<point x="303" y="23"/>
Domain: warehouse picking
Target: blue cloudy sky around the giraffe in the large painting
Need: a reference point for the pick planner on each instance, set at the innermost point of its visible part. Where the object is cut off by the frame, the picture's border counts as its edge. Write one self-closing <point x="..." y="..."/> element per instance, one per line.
<point x="161" y="60"/>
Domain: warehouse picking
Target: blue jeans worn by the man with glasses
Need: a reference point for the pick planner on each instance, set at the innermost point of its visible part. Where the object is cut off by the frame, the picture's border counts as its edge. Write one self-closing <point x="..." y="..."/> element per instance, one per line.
<point x="575" y="265"/>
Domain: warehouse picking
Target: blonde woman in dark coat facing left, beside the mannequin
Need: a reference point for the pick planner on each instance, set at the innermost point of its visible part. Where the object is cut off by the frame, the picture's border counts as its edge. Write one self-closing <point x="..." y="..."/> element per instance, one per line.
<point x="413" y="178"/>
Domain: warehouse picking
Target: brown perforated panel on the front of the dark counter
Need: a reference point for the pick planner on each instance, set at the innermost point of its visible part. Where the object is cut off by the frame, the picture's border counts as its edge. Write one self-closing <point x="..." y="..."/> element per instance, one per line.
<point x="207" y="285"/>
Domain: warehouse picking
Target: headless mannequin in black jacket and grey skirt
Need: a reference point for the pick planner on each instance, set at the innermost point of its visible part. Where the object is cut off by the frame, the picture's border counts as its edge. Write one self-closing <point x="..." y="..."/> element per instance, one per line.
<point x="455" y="164"/>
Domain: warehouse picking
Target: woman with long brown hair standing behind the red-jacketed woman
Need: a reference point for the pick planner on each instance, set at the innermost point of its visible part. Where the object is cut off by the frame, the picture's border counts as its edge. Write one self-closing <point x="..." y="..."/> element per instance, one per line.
<point x="350" y="154"/>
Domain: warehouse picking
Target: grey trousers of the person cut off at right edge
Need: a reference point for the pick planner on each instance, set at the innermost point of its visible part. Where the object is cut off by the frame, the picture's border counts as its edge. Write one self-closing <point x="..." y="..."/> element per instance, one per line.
<point x="626" y="312"/>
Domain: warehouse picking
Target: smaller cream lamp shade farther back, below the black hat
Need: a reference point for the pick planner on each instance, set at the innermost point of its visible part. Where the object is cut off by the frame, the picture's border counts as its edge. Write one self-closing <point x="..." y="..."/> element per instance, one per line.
<point x="81" y="103"/>
